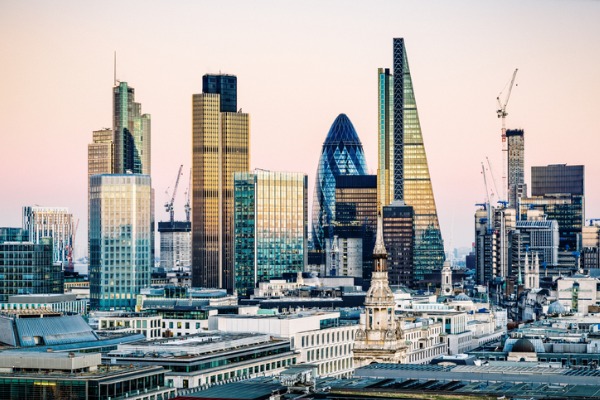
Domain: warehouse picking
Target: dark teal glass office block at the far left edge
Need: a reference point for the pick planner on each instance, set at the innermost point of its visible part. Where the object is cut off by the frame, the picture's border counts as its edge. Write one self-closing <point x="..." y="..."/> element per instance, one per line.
<point x="27" y="267"/>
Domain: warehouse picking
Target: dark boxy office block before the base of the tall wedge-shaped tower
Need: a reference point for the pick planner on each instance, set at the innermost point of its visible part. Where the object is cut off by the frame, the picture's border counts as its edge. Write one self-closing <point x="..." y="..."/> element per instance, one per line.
<point x="398" y="234"/>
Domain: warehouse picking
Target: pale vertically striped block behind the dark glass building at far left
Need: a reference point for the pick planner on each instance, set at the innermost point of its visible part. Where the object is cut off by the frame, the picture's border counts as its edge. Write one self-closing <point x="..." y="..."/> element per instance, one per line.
<point x="53" y="222"/>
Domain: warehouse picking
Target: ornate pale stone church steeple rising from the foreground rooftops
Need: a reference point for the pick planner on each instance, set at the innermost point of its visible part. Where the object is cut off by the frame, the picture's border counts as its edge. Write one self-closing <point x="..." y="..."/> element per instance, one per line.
<point x="380" y="338"/>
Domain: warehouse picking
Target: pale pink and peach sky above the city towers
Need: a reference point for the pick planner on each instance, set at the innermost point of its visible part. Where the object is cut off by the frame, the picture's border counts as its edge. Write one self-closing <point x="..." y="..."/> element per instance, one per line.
<point x="304" y="64"/>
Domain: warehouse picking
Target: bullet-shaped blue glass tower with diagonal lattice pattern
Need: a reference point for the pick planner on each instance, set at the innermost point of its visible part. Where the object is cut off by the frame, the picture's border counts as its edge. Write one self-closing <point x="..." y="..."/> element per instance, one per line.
<point x="342" y="154"/>
